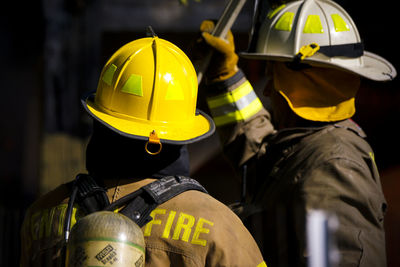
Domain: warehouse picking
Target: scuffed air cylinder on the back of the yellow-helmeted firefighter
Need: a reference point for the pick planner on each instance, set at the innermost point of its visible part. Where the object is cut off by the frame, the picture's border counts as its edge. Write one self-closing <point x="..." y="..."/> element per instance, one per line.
<point x="105" y="238"/>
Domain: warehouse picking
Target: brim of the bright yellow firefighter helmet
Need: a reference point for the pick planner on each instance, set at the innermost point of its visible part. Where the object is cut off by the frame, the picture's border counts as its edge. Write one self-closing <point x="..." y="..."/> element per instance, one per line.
<point x="179" y="133"/>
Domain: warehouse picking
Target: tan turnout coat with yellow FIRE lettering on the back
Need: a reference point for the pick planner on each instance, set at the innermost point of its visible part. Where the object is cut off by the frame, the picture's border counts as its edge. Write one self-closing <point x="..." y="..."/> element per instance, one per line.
<point x="191" y="229"/>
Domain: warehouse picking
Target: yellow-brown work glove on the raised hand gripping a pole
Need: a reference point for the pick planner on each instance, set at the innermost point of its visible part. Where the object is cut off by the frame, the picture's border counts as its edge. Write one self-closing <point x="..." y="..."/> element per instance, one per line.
<point x="223" y="64"/>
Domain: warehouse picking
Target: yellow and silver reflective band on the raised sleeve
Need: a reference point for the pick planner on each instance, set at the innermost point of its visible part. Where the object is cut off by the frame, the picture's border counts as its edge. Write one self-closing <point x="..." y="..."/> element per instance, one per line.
<point x="237" y="105"/>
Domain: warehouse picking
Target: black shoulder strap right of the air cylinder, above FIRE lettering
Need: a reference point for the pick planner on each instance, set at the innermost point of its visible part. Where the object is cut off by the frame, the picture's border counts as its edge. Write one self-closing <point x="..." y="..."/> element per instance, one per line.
<point x="146" y="199"/>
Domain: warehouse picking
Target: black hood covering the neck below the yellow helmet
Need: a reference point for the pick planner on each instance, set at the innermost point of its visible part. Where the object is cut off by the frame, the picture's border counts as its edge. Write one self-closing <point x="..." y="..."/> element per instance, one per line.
<point x="111" y="155"/>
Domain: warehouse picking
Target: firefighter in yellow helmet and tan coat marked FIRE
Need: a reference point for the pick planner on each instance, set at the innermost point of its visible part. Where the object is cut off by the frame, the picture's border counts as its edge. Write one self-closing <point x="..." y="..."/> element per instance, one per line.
<point x="144" y="112"/>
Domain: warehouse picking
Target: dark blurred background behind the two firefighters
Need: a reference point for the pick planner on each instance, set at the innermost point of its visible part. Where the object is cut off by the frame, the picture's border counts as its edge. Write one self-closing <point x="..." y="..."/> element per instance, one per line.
<point x="52" y="52"/>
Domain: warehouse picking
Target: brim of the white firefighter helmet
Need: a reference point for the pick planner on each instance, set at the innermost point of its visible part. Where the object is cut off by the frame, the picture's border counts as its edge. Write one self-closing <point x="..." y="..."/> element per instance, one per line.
<point x="374" y="67"/>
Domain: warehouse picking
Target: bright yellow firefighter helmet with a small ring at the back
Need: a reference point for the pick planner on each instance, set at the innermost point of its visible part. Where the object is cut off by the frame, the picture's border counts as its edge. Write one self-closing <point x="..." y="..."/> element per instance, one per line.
<point x="148" y="90"/>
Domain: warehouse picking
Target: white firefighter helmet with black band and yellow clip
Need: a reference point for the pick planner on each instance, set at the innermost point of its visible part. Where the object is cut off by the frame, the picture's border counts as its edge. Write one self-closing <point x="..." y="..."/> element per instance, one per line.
<point x="320" y="27"/>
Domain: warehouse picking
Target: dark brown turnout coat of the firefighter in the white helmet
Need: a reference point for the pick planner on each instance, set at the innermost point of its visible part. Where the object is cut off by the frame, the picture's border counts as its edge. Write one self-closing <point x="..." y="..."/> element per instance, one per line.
<point x="329" y="167"/>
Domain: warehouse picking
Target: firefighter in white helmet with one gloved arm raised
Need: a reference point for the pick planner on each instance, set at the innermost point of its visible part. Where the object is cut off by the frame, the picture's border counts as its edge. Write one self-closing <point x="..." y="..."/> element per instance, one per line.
<point x="304" y="153"/>
